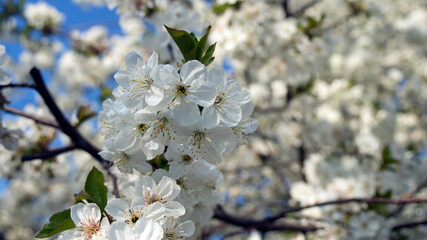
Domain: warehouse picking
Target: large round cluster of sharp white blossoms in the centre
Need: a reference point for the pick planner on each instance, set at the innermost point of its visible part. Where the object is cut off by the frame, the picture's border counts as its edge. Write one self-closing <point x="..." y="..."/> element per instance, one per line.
<point x="189" y="117"/>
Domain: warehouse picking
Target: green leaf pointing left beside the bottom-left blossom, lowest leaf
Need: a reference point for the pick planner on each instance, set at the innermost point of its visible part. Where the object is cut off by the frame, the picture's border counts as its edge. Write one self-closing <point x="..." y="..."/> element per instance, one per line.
<point x="58" y="223"/>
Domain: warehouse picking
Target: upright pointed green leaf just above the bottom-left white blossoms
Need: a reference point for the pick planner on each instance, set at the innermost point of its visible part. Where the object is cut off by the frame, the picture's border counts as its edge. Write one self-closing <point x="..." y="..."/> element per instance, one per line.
<point x="95" y="187"/>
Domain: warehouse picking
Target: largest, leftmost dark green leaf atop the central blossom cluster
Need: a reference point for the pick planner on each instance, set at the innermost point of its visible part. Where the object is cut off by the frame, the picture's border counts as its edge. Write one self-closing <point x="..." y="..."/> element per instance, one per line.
<point x="185" y="41"/>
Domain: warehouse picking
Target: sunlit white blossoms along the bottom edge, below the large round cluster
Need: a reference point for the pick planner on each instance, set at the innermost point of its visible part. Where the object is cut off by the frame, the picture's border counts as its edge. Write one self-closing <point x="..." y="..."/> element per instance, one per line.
<point x="152" y="214"/>
